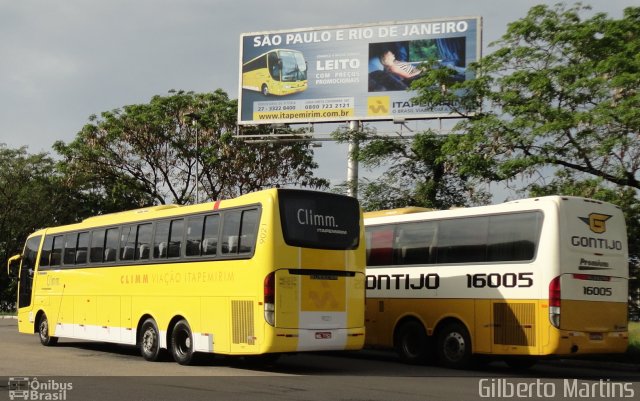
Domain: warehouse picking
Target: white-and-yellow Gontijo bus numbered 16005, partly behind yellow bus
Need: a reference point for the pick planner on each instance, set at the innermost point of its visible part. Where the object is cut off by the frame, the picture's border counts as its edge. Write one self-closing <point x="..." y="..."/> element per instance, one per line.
<point x="521" y="280"/>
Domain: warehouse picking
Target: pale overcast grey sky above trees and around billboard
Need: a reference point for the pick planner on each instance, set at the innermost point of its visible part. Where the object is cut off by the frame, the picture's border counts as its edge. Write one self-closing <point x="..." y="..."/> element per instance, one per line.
<point x="63" y="61"/>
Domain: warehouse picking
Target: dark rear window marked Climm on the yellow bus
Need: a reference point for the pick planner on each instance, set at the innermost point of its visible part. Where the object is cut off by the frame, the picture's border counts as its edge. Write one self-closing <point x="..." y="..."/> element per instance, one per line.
<point x="319" y="220"/>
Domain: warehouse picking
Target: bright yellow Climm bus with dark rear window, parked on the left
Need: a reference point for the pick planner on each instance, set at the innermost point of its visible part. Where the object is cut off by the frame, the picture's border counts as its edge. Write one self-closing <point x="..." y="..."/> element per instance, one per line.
<point x="271" y="272"/>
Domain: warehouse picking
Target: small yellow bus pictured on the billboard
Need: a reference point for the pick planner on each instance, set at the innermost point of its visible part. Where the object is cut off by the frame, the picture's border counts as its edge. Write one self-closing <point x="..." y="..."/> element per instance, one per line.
<point x="276" y="72"/>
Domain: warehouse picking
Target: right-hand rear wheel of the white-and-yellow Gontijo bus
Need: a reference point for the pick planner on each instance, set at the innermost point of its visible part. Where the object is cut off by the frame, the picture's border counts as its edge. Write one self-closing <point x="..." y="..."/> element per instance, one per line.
<point x="454" y="346"/>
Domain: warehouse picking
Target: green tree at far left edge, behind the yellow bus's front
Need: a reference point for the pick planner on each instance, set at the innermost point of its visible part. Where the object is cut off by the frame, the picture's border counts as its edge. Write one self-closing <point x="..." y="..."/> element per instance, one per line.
<point x="35" y="193"/>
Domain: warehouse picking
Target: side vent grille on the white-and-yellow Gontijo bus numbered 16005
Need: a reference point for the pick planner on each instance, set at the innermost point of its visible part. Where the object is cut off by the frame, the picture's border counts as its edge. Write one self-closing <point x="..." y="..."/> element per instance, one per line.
<point x="514" y="324"/>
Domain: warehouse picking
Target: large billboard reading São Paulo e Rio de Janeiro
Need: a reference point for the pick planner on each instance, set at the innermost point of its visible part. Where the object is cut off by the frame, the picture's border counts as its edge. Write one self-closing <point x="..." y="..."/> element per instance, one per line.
<point x="344" y="73"/>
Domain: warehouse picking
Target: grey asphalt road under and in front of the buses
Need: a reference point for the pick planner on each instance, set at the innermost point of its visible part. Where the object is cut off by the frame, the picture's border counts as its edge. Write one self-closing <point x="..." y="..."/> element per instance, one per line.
<point x="79" y="370"/>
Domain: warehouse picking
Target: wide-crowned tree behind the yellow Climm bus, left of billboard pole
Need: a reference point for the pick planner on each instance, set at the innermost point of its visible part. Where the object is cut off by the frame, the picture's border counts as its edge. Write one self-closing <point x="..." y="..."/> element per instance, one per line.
<point x="150" y="149"/>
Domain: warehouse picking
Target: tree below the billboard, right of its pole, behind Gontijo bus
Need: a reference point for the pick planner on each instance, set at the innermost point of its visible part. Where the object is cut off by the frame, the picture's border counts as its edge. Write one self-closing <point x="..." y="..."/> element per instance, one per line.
<point x="417" y="173"/>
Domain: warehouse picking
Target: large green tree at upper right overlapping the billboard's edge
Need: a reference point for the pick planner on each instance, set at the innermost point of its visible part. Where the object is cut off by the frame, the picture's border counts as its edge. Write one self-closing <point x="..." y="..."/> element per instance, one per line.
<point x="560" y="90"/>
